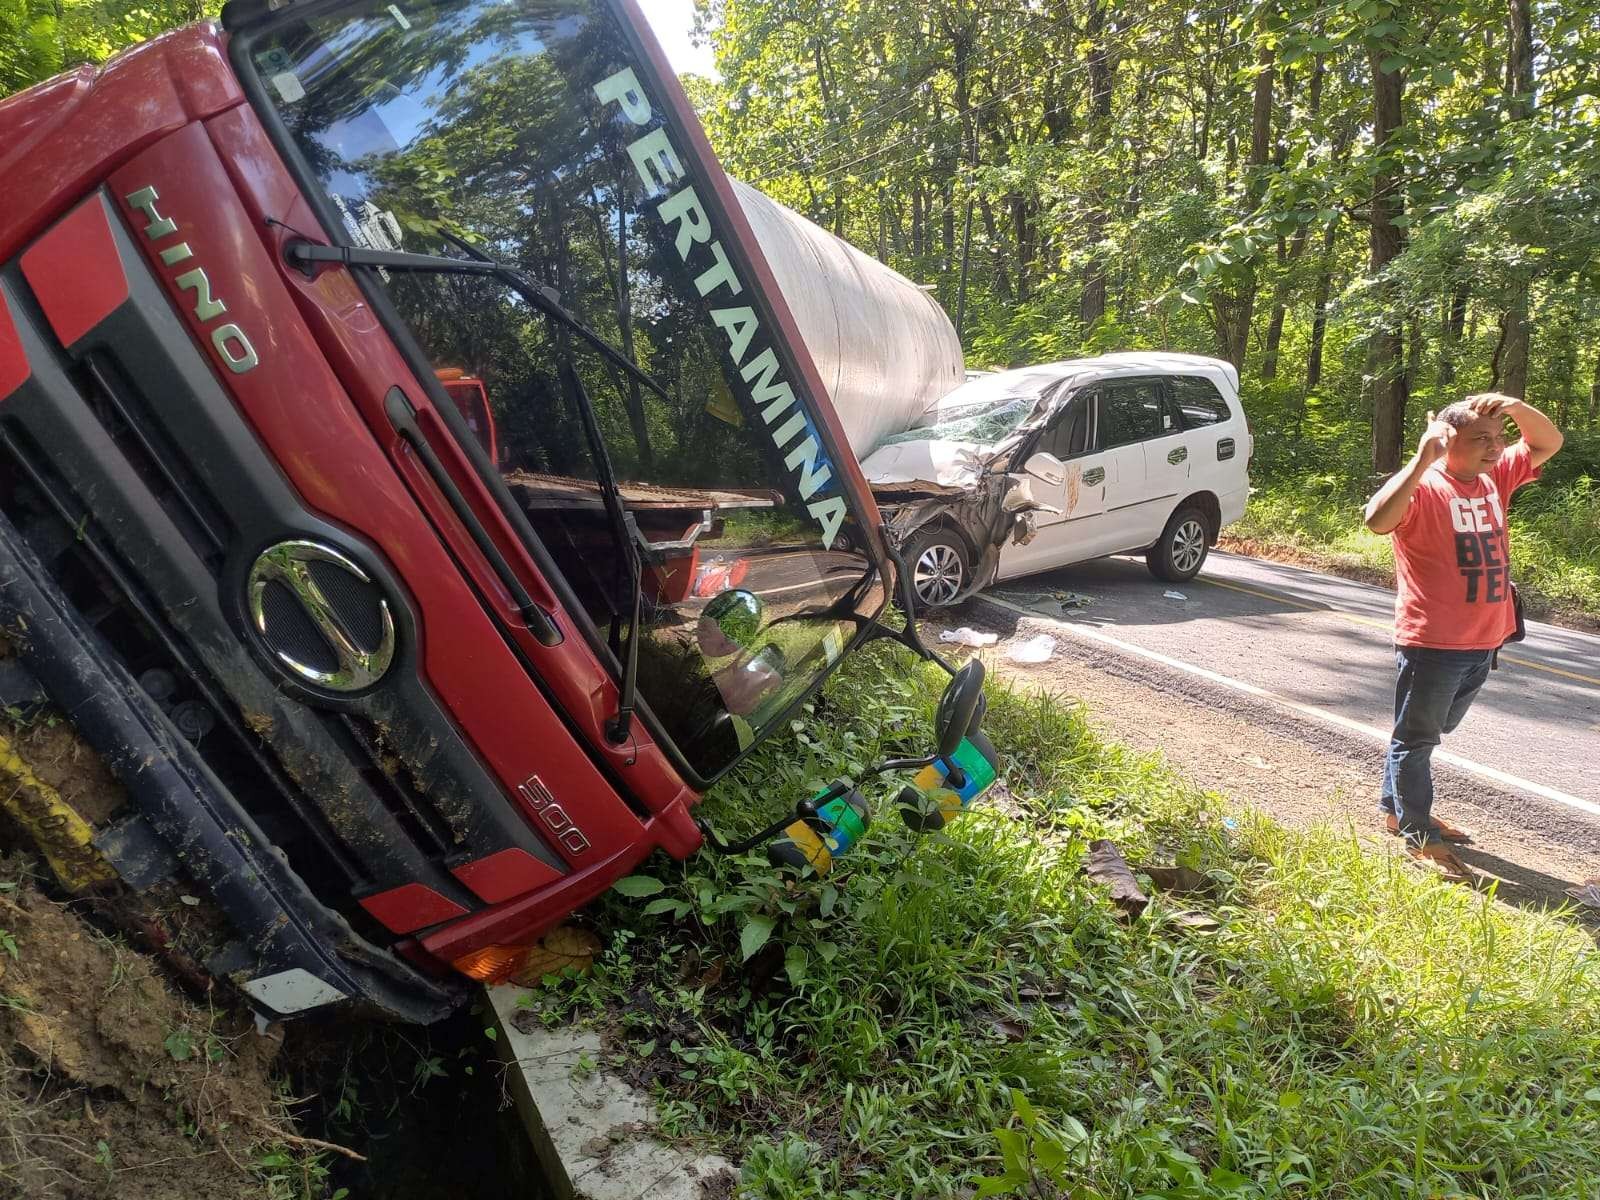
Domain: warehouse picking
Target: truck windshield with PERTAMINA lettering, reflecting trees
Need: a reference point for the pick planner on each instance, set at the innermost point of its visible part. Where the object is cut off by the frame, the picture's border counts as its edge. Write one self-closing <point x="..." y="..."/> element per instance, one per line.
<point x="532" y="130"/>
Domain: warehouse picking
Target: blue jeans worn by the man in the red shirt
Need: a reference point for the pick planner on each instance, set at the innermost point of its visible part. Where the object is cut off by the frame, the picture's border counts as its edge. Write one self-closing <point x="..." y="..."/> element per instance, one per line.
<point x="1433" y="695"/>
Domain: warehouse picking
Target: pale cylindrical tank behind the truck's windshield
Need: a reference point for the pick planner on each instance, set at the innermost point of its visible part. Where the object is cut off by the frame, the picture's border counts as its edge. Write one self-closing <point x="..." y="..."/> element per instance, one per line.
<point x="884" y="346"/>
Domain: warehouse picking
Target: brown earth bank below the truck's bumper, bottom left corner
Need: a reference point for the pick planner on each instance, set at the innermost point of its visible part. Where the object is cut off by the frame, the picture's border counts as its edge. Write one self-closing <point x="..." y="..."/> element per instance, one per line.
<point x="111" y="1082"/>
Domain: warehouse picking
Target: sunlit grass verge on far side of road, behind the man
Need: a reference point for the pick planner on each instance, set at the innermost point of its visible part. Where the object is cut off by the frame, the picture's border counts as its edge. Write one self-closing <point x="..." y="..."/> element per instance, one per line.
<point x="1556" y="540"/>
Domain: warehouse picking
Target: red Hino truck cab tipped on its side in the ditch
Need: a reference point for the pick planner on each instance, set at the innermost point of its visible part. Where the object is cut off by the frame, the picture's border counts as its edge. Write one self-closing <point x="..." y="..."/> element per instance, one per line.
<point x="396" y="700"/>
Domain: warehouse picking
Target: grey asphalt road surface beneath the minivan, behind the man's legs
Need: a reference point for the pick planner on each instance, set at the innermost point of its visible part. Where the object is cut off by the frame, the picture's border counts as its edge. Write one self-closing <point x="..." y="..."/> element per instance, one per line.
<point x="1321" y="647"/>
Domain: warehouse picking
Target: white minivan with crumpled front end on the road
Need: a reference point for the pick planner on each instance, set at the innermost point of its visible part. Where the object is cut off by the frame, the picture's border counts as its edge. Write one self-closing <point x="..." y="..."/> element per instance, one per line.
<point x="1046" y="466"/>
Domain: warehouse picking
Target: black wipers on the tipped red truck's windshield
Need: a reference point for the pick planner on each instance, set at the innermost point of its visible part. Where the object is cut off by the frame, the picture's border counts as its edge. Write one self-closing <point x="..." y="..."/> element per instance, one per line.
<point x="305" y="255"/>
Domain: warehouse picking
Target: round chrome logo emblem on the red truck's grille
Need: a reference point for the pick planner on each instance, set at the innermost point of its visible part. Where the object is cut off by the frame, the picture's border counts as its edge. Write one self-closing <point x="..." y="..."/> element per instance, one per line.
<point x="289" y="564"/>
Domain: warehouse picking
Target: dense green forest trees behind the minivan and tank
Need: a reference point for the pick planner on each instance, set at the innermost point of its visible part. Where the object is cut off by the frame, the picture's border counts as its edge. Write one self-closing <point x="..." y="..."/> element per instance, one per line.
<point x="1369" y="207"/>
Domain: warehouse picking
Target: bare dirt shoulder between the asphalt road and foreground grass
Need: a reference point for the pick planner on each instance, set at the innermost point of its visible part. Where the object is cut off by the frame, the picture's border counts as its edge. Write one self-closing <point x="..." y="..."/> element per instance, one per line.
<point x="1298" y="770"/>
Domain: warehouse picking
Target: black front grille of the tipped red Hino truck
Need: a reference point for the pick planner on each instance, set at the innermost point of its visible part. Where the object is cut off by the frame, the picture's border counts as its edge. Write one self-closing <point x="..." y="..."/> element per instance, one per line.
<point x="134" y="478"/>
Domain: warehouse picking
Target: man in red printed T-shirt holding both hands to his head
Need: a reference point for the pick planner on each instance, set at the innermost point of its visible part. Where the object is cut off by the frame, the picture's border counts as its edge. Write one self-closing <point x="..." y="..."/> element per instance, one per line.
<point x="1454" y="606"/>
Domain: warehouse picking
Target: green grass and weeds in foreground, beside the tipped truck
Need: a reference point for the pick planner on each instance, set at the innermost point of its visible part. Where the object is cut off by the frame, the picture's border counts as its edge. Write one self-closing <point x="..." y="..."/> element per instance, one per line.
<point x="967" y="1010"/>
